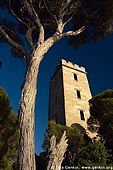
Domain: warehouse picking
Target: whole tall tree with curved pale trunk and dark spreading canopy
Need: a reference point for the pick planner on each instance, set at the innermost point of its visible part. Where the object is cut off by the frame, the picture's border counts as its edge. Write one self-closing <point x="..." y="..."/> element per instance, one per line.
<point x="38" y="24"/>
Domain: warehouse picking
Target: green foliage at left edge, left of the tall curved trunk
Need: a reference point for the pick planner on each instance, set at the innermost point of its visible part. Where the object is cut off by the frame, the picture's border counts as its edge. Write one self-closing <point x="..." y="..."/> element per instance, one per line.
<point x="8" y="133"/>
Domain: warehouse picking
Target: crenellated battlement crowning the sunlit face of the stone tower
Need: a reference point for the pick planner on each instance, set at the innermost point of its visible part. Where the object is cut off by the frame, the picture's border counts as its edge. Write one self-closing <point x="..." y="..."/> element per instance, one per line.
<point x="73" y="66"/>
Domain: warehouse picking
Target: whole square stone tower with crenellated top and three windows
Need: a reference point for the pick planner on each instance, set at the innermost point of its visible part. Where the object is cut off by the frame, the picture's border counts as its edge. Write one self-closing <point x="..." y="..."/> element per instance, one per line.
<point x="69" y="96"/>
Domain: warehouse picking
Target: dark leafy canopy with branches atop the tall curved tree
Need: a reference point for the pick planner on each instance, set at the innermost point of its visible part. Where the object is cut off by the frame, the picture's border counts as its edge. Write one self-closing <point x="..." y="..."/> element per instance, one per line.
<point x="95" y="16"/>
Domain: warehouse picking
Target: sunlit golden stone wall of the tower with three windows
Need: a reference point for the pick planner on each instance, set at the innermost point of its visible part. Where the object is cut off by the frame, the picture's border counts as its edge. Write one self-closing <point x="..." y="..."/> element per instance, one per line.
<point x="73" y="104"/>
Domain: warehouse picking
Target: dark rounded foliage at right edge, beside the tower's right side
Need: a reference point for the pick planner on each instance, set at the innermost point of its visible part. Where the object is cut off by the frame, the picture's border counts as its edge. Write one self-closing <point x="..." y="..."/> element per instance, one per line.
<point x="102" y="110"/>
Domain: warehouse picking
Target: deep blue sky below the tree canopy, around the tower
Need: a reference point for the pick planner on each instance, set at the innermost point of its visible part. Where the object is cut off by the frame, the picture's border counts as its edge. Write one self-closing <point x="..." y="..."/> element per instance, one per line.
<point x="97" y="58"/>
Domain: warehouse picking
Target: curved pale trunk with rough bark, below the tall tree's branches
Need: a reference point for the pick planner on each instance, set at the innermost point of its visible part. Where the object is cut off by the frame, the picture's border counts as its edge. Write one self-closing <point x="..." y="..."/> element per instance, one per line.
<point x="26" y="155"/>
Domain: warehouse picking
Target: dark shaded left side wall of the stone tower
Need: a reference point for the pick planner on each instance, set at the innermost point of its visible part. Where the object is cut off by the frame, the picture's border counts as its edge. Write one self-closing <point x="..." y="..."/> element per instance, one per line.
<point x="56" y="100"/>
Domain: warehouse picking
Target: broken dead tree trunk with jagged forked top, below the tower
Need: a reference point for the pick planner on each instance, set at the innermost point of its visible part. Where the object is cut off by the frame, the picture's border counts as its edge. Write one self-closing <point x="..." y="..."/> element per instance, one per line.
<point x="57" y="152"/>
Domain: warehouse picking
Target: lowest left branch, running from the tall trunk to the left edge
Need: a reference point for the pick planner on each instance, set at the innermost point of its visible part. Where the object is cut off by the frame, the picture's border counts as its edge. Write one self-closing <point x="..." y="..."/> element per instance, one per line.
<point x="16" y="45"/>
